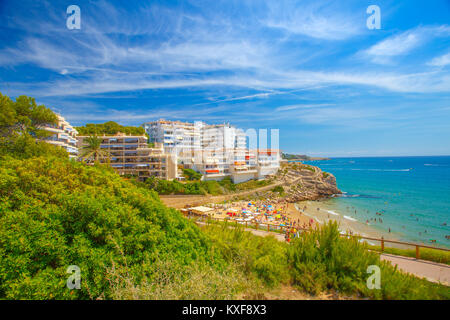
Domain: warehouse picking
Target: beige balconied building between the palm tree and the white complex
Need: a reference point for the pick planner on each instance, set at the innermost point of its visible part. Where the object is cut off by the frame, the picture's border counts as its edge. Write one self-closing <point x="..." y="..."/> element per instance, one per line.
<point x="132" y="155"/>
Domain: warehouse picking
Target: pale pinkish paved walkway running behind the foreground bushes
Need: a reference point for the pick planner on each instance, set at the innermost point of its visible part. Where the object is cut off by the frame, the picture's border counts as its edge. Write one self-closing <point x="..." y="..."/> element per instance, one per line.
<point x="432" y="271"/>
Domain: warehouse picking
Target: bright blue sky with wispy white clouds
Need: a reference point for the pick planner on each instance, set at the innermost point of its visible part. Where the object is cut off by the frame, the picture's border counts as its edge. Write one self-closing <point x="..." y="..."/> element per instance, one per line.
<point x="311" y="69"/>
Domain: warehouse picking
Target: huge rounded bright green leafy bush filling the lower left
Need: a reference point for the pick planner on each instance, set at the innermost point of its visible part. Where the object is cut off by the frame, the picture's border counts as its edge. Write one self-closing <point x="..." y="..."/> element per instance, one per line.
<point x="55" y="213"/>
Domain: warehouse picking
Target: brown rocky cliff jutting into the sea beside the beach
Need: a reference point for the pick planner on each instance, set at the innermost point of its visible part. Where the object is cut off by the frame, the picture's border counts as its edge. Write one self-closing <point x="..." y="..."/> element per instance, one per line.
<point x="305" y="182"/>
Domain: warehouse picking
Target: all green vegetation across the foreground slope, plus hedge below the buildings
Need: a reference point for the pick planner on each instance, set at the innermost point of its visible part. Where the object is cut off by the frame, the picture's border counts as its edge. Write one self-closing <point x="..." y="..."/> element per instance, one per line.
<point x="55" y="212"/>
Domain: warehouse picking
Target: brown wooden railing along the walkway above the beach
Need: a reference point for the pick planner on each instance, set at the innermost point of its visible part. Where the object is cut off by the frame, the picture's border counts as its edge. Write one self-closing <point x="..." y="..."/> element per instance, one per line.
<point x="282" y="229"/>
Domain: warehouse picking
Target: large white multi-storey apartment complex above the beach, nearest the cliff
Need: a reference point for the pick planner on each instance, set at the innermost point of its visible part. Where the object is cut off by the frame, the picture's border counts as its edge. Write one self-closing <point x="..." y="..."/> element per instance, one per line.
<point x="216" y="151"/>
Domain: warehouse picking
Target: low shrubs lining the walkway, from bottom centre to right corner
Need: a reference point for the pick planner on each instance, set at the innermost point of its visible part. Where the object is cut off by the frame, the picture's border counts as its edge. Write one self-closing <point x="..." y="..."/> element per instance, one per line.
<point x="319" y="261"/>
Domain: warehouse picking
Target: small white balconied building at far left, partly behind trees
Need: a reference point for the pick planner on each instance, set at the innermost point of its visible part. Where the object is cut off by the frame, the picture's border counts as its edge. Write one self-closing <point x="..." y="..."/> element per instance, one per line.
<point x="63" y="135"/>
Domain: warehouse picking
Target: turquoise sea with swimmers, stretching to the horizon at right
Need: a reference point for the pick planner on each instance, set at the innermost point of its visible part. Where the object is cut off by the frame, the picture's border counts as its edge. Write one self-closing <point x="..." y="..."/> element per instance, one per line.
<point x="411" y="193"/>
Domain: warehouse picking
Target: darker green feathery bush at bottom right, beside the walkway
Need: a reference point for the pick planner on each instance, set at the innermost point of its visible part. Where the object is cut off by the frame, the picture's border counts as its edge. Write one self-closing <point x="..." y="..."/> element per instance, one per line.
<point x="321" y="260"/>
